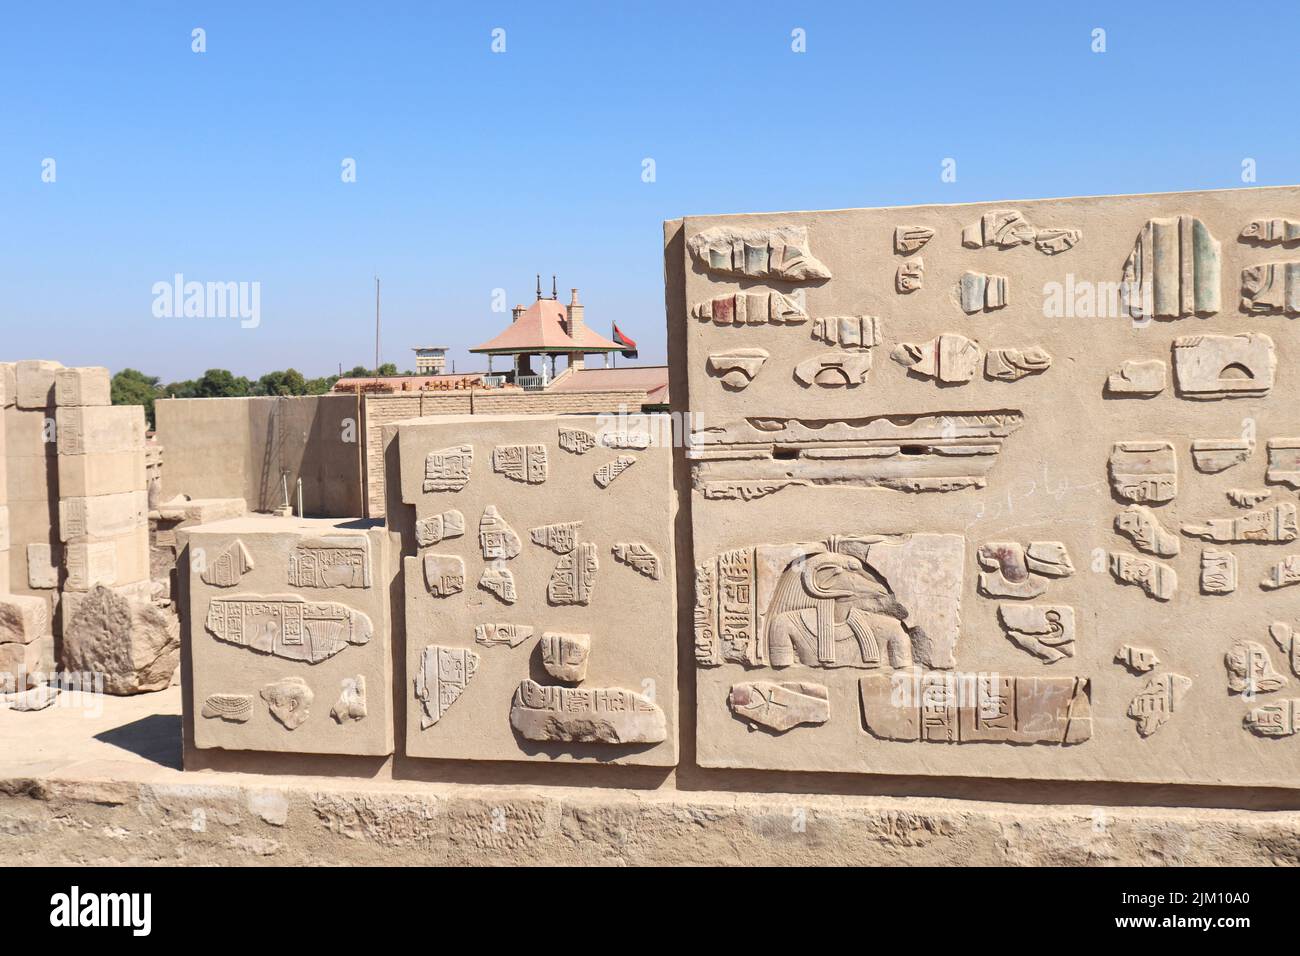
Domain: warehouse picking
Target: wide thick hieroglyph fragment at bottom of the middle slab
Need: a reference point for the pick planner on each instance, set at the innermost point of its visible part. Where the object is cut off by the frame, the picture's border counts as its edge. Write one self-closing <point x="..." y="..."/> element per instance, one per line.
<point x="586" y="715"/>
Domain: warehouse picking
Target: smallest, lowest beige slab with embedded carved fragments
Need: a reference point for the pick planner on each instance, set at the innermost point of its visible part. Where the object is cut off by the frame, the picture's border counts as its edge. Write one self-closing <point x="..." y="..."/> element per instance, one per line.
<point x="287" y="625"/>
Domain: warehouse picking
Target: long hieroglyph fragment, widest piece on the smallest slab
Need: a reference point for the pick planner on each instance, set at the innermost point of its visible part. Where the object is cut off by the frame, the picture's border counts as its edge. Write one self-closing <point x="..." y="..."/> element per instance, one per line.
<point x="288" y="626"/>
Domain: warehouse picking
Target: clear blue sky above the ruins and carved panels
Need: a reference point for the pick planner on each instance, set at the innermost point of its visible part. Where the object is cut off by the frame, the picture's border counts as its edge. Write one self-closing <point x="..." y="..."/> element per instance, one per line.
<point x="478" y="170"/>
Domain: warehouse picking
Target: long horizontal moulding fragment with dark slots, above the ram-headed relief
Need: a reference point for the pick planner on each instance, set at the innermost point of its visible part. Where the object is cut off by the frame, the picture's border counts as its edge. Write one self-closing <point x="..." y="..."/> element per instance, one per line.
<point x="926" y="453"/>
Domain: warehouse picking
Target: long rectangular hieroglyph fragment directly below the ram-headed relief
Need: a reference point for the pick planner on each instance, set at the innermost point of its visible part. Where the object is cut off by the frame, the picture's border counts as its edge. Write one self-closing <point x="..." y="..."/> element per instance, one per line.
<point x="977" y="708"/>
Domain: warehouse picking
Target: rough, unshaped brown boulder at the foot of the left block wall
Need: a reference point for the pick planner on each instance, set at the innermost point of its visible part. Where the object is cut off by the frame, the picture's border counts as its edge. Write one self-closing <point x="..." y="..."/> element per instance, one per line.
<point x="135" y="644"/>
